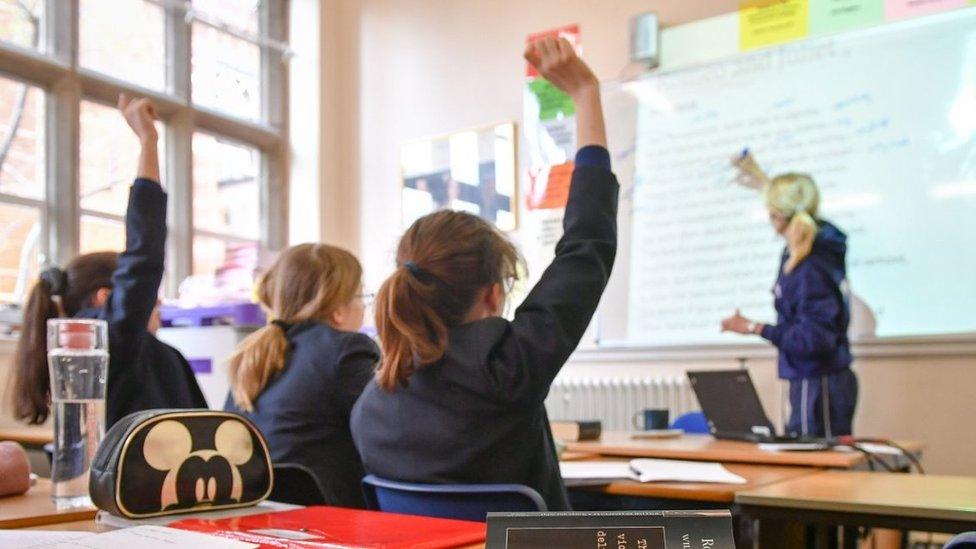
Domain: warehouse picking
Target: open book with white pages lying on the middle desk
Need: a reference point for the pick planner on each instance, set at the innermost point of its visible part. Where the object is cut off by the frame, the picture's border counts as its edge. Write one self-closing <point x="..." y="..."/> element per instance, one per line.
<point x="647" y="470"/>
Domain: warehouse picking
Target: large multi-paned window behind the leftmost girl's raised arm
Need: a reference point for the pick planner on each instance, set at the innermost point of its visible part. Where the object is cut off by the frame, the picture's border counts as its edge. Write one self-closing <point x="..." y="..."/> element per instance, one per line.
<point x="67" y="157"/>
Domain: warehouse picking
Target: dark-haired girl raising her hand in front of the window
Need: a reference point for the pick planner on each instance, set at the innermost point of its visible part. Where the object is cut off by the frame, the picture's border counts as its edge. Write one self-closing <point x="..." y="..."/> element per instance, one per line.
<point x="122" y="289"/>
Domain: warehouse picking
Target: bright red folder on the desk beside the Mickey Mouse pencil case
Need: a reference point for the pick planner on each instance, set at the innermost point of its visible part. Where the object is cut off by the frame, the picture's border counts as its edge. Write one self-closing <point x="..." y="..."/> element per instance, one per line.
<point x="340" y="528"/>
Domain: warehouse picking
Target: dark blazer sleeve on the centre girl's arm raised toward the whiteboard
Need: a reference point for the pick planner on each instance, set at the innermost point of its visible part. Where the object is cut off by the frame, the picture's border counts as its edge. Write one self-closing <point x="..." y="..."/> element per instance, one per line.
<point x="550" y="322"/>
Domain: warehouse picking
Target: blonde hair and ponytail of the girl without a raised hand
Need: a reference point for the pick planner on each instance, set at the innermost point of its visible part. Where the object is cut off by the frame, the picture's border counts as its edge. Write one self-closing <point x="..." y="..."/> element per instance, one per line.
<point x="306" y="282"/>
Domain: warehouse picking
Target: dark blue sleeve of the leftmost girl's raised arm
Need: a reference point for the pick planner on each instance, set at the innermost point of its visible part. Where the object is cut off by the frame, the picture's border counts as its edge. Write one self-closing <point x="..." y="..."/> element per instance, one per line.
<point x="135" y="283"/>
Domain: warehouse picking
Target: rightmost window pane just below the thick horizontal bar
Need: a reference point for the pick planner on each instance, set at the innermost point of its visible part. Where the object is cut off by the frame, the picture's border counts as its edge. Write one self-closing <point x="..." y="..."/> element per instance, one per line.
<point x="226" y="198"/>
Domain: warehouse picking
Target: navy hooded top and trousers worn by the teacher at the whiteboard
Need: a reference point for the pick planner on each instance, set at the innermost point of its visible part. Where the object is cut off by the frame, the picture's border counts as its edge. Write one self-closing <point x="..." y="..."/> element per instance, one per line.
<point x="813" y="314"/>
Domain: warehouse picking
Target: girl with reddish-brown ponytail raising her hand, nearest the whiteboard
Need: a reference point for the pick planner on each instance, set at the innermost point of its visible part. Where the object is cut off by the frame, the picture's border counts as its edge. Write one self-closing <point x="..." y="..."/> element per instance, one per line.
<point x="458" y="396"/>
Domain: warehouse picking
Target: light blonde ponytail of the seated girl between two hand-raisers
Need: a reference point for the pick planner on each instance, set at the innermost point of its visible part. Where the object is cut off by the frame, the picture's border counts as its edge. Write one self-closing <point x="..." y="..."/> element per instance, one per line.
<point x="258" y="359"/>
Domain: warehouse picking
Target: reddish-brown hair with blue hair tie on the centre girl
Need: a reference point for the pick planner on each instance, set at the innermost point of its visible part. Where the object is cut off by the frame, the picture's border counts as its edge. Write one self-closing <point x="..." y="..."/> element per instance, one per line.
<point x="443" y="260"/>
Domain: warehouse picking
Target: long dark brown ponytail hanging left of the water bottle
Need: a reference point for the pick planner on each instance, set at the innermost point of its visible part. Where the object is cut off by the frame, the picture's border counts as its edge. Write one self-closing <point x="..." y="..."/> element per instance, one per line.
<point x="31" y="381"/>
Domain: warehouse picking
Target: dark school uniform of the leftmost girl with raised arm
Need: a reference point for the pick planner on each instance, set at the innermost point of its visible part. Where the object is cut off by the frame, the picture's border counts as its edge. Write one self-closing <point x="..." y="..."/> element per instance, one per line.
<point x="143" y="372"/>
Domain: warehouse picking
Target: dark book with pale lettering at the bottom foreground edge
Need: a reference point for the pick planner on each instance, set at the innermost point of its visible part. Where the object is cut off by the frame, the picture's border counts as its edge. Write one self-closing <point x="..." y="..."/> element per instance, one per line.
<point x="606" y="529"/>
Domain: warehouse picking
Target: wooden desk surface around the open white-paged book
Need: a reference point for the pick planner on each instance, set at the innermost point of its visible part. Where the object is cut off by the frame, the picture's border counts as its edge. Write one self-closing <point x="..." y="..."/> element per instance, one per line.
<point x="756" y="476"/>
